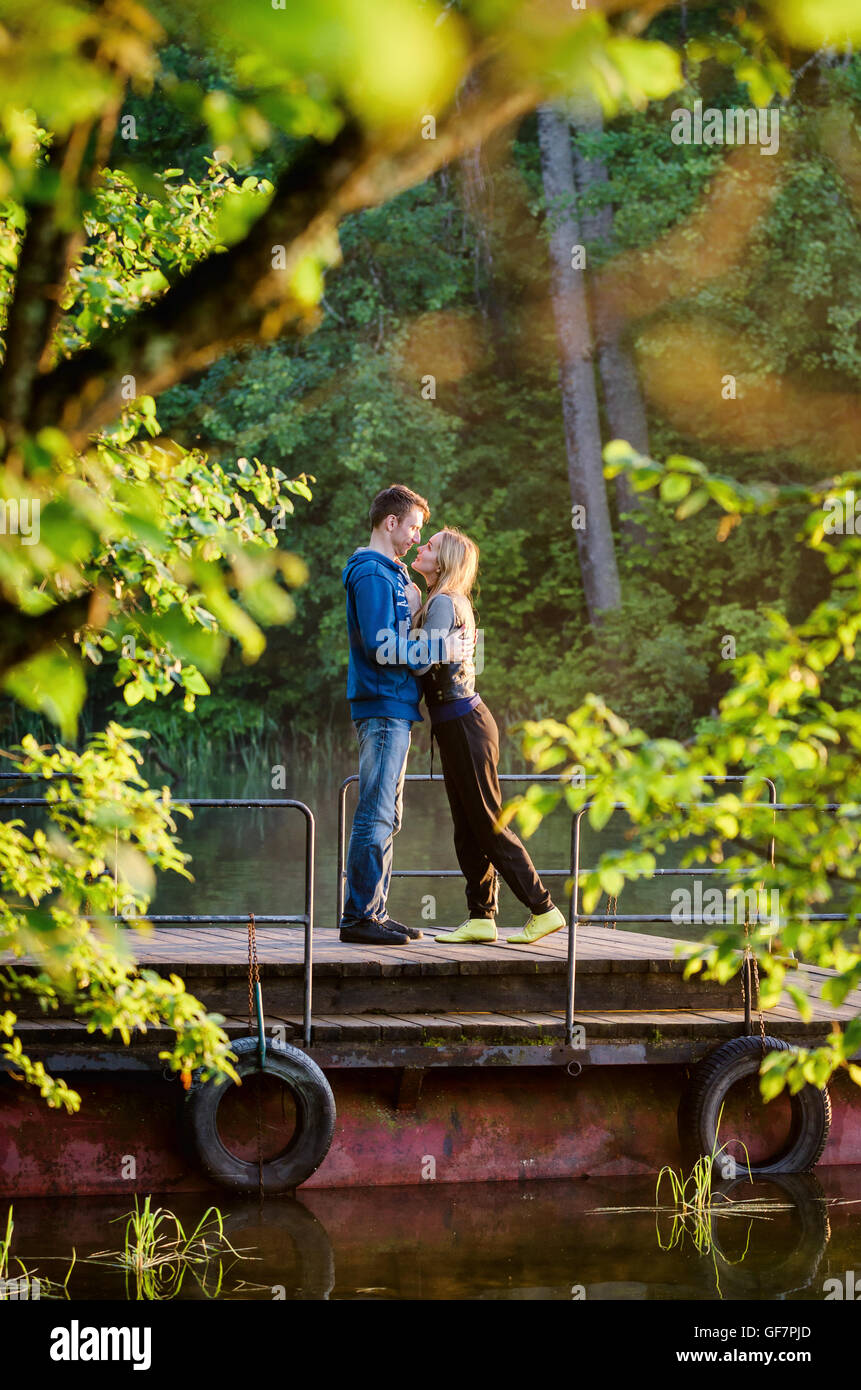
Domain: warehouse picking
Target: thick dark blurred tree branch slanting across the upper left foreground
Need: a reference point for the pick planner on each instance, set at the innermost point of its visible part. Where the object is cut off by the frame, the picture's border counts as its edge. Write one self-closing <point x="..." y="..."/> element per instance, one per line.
<point x="239" y="297"/>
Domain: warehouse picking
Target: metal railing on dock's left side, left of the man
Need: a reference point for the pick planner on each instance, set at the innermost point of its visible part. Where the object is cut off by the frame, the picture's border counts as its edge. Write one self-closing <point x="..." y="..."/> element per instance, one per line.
<point x="305" y="919"/>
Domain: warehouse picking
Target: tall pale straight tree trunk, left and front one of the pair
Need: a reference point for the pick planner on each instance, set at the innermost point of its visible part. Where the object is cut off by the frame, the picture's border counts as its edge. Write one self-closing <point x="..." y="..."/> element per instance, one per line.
<point x="577" y="375"/>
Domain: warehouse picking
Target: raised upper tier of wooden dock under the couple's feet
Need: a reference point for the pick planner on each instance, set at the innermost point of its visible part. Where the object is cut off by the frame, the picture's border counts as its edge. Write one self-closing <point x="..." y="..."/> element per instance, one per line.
<point x="628" y="972"/>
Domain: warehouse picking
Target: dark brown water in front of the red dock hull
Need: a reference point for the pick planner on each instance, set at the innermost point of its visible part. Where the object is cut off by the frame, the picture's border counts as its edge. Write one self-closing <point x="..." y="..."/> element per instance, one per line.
<point x="479" y="1242"/>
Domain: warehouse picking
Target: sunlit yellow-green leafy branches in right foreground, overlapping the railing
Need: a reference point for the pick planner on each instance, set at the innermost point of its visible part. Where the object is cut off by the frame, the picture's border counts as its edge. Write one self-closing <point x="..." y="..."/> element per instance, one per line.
<point x="774" y="722"/>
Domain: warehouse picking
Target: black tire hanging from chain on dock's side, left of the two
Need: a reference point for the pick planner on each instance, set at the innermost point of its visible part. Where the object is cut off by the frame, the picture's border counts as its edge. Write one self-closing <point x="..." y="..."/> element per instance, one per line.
<point x="315" y="1121"/>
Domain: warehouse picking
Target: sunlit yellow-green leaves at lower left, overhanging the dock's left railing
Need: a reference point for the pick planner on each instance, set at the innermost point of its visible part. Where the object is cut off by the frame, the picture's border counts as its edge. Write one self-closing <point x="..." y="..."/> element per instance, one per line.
<point x="62" y="886"/>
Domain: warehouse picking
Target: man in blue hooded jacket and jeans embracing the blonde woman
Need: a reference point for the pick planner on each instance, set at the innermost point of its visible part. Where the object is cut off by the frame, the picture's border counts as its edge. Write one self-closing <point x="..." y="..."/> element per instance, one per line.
<point x="385" y="696"/>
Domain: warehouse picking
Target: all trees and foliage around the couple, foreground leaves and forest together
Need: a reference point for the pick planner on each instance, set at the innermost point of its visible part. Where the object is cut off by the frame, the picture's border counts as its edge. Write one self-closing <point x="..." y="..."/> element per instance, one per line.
<point x="204" y="416"/>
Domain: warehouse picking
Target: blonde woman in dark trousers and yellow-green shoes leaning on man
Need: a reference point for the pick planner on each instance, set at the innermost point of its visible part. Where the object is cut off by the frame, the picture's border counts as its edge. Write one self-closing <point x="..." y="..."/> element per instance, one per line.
<point x="469" y="749"/>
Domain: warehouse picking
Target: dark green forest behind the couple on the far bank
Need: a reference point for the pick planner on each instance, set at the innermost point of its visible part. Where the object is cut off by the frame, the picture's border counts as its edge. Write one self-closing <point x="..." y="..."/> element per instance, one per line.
<point x="453" y="279"/>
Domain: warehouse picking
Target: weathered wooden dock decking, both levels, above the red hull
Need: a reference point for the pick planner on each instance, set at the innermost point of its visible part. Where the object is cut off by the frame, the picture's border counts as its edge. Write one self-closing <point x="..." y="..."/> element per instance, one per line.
<point x="429" y="1006"/>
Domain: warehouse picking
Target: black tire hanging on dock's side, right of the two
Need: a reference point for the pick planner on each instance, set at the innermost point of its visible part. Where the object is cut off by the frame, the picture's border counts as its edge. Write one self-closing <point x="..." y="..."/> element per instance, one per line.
<point x="709" y="1086"/>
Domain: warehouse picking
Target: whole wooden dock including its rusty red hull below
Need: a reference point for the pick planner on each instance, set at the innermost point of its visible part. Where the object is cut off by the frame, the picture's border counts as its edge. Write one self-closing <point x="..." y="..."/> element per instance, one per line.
<point x="454" y="1056"/>
